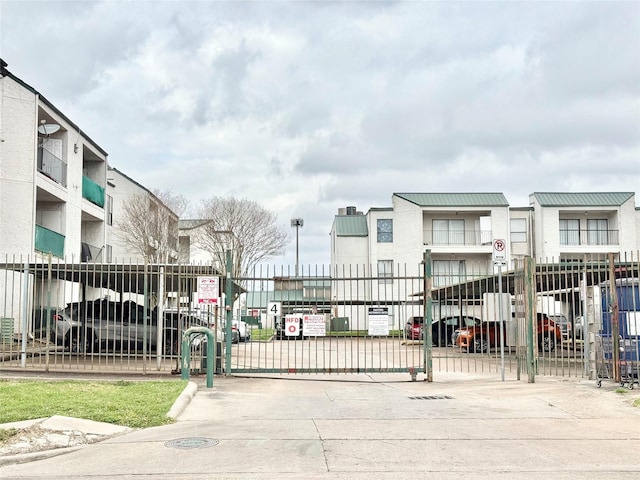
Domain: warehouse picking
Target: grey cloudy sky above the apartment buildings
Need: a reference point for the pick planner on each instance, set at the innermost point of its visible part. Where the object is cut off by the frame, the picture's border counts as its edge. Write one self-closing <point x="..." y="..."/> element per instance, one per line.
<point x="306" y="107"/>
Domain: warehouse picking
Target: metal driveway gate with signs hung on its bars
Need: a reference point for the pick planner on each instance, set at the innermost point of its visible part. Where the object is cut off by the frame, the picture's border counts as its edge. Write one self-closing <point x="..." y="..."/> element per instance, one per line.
<point x="347" y="322"/>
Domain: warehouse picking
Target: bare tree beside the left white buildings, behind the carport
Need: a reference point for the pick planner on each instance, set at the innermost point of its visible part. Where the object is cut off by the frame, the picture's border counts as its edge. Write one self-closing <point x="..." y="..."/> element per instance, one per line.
<point x="149" y="228"/>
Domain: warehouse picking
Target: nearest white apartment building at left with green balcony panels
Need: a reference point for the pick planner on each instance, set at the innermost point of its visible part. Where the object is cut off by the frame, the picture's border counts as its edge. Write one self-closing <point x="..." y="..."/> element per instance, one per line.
<point x="52" y="178"/>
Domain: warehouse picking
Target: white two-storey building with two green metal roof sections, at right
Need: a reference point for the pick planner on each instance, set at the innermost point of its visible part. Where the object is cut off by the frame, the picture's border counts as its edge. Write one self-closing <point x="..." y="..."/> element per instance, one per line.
<point x="459" y="229"/>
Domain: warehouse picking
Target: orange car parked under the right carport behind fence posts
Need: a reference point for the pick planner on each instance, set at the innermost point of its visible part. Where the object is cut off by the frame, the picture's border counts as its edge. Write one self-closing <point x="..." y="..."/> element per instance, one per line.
<point x="481" y="338"/>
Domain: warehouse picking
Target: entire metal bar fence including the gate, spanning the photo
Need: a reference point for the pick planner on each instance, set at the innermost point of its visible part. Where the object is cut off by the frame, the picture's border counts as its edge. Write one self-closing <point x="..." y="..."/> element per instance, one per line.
<point x="540" y="318"/>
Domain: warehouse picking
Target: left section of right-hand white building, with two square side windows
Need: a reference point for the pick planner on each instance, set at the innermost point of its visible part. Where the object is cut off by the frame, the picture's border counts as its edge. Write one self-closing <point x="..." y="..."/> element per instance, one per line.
<point x="458" y="228"/>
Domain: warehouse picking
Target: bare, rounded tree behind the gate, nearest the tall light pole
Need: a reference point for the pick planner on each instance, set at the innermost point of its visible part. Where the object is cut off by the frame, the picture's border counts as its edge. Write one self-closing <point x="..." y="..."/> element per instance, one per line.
<point x="250" y="231"/>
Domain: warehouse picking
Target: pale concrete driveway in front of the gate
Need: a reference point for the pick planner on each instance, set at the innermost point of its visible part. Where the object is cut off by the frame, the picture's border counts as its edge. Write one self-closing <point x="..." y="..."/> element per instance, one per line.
<point x="373" y="427"/>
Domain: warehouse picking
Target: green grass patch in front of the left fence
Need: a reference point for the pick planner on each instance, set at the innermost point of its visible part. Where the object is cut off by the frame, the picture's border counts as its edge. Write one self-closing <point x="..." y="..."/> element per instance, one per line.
<point x="132" y="404"/>
